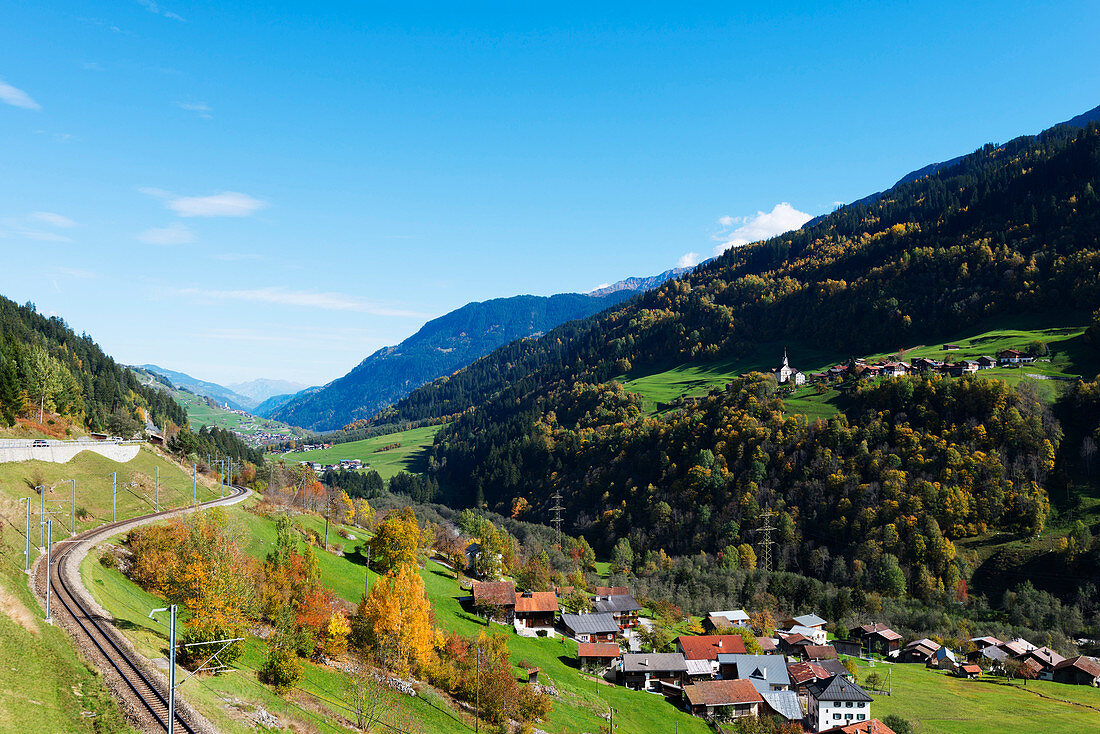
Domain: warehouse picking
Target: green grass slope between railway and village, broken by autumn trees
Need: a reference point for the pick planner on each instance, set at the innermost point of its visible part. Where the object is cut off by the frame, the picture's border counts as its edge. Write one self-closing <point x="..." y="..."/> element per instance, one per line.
<point x="577" y="711"/>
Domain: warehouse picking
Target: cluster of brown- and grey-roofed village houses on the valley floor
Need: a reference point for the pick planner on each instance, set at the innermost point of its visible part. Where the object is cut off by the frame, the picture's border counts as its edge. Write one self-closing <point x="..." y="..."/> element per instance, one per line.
<point x="797" y="673"/>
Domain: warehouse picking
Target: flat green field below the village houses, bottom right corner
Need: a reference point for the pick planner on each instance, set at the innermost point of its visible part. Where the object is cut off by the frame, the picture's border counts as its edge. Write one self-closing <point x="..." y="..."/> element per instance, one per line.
<point x="945" y="705"/>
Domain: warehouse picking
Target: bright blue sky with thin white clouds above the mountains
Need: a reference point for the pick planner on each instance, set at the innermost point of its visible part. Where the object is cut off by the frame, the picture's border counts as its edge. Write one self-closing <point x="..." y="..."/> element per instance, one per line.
<point x="278" y="190"/>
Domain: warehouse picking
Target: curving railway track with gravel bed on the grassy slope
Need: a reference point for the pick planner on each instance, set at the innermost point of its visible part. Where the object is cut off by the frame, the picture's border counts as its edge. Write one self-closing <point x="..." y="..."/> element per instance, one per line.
<point x="146" y="692"/>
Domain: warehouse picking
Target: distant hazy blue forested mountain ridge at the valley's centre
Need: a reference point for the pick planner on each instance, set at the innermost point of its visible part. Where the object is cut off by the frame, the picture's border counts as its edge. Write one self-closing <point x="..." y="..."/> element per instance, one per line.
<point x="439" y="348"/>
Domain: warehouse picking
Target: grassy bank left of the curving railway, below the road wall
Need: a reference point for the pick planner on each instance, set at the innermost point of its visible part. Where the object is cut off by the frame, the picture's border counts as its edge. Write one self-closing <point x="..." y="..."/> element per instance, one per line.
<point x="45" y="687"/>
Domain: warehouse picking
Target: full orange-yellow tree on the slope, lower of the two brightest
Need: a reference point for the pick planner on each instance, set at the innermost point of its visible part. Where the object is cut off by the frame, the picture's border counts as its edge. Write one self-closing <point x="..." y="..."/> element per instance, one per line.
<point x="394" y="622"/>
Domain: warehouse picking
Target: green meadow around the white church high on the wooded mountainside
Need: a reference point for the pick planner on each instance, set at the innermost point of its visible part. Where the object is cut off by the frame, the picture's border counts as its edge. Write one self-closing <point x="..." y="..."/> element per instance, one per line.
<point x="1063" y="334"/>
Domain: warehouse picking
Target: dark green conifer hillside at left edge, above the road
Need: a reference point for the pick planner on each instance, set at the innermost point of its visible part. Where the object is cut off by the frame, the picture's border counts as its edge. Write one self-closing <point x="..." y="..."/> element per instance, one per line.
<point x="45" y="365"/>
